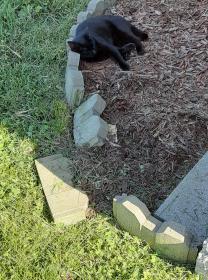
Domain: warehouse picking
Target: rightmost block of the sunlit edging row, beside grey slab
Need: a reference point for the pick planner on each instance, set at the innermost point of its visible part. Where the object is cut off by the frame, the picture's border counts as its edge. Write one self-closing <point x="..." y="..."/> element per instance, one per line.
<point x="173" y="242"/>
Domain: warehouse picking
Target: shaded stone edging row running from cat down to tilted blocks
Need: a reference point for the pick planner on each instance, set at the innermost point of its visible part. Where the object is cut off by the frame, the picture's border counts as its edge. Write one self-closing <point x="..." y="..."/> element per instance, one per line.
<point x="90" y="130"/>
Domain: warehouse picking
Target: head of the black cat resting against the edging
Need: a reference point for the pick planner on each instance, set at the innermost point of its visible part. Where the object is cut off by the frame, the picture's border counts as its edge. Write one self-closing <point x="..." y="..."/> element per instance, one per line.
<point x="85" y="46"/>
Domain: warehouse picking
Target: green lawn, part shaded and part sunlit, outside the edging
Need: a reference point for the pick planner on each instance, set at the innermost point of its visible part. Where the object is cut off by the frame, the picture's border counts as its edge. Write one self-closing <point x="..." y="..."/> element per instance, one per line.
<point x="33" y="116"/>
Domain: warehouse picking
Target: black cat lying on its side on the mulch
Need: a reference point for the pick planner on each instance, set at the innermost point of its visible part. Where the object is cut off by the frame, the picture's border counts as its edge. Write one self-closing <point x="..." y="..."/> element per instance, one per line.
<point x="101" y="37"/>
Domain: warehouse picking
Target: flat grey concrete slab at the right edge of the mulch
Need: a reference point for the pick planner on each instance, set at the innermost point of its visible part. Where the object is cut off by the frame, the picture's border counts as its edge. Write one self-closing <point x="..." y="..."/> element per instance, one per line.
<point x="188" y="203"/>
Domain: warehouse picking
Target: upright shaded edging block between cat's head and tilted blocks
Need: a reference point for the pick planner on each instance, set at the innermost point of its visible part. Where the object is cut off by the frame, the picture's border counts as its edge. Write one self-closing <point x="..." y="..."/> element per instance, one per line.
<point x="74" y="87"/>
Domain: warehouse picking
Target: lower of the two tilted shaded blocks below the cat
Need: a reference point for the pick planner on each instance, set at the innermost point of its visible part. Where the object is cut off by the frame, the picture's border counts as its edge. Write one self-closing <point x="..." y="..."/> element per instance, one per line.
<point x="92" y="132"/>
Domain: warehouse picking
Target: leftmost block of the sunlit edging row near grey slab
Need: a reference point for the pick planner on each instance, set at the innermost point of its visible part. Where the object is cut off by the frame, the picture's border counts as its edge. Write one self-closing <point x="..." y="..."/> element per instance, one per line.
<point x="130" y="213"/>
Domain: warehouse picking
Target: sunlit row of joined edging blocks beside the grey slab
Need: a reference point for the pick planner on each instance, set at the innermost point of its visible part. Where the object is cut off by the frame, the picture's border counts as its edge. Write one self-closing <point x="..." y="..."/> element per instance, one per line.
<point x="169" y="239"/>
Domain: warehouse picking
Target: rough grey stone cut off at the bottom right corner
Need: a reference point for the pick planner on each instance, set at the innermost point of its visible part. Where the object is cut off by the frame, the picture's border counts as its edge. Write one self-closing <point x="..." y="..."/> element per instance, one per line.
<point x="202" y="261"/>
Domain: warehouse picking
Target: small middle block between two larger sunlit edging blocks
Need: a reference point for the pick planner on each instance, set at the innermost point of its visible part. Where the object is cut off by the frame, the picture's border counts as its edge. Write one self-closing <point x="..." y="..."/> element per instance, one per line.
<point x="149" y="229"/>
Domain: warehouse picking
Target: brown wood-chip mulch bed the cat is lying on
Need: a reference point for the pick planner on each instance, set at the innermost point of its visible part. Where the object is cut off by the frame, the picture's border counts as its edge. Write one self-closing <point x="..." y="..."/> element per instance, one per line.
<point x="160" y="107"/>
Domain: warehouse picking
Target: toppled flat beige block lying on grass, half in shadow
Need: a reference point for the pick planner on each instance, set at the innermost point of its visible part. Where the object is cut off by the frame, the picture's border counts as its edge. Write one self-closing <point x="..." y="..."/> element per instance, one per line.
<point x="67" y="204"/>
